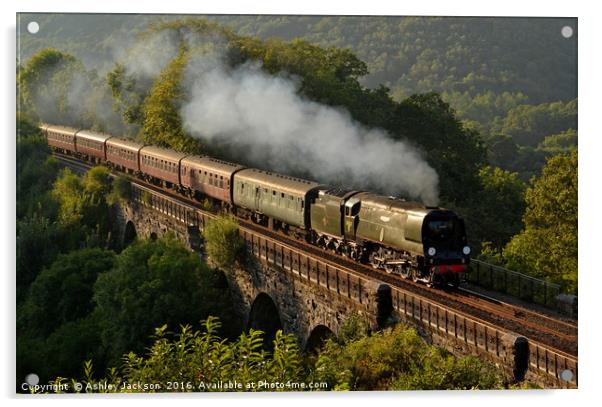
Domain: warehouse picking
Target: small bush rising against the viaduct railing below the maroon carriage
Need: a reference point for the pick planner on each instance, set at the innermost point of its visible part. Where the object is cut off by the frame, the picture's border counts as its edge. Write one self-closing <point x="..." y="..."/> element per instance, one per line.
<point x="223" y="243"/>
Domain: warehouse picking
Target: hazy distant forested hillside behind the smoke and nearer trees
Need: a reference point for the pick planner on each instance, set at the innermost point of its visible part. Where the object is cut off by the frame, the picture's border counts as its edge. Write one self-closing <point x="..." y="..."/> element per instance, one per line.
<point x="512" y="77"/>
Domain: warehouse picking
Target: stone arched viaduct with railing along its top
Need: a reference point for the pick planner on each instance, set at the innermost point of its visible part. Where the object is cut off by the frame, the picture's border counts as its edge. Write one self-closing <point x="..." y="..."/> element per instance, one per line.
<point x="285" y="288"/>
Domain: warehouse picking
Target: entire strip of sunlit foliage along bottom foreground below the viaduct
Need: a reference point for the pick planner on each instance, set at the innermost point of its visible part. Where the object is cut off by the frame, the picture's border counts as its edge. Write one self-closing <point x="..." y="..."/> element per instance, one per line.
<point x="396" y="359"/>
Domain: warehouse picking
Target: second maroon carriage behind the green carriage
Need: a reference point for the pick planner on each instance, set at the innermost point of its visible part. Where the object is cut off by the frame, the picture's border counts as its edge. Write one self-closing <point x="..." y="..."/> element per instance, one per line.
<point x="161" y="164"/>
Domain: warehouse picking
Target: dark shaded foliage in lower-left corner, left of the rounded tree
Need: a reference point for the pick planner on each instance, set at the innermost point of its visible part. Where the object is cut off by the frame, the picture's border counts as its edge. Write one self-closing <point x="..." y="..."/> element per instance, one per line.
<point x="56" y="327"/>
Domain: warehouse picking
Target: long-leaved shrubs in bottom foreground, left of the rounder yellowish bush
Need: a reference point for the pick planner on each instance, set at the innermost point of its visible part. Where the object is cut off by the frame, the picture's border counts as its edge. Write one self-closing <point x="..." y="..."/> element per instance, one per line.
<point x="199" y="361"/>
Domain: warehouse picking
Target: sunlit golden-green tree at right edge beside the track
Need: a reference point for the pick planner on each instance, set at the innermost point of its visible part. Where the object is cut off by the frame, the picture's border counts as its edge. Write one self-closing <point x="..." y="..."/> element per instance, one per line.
<point x="547" y="247"/>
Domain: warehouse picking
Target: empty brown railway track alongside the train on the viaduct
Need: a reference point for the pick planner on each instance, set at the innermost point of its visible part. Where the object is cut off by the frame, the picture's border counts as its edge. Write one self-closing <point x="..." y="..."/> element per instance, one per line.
<point x="557" y="334"/>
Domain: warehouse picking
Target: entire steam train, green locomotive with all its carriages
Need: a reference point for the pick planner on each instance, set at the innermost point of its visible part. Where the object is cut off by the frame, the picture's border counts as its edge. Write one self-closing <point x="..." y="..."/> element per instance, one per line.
<point x="408" y="239"/>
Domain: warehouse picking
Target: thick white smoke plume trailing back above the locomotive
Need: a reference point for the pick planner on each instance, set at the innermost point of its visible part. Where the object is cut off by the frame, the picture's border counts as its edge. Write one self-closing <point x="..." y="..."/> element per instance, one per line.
<point x="264" y="116"/>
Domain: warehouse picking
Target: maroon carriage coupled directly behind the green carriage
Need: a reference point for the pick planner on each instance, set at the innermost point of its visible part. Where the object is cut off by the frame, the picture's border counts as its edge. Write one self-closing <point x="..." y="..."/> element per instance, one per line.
<point x="208" y="176"/>
